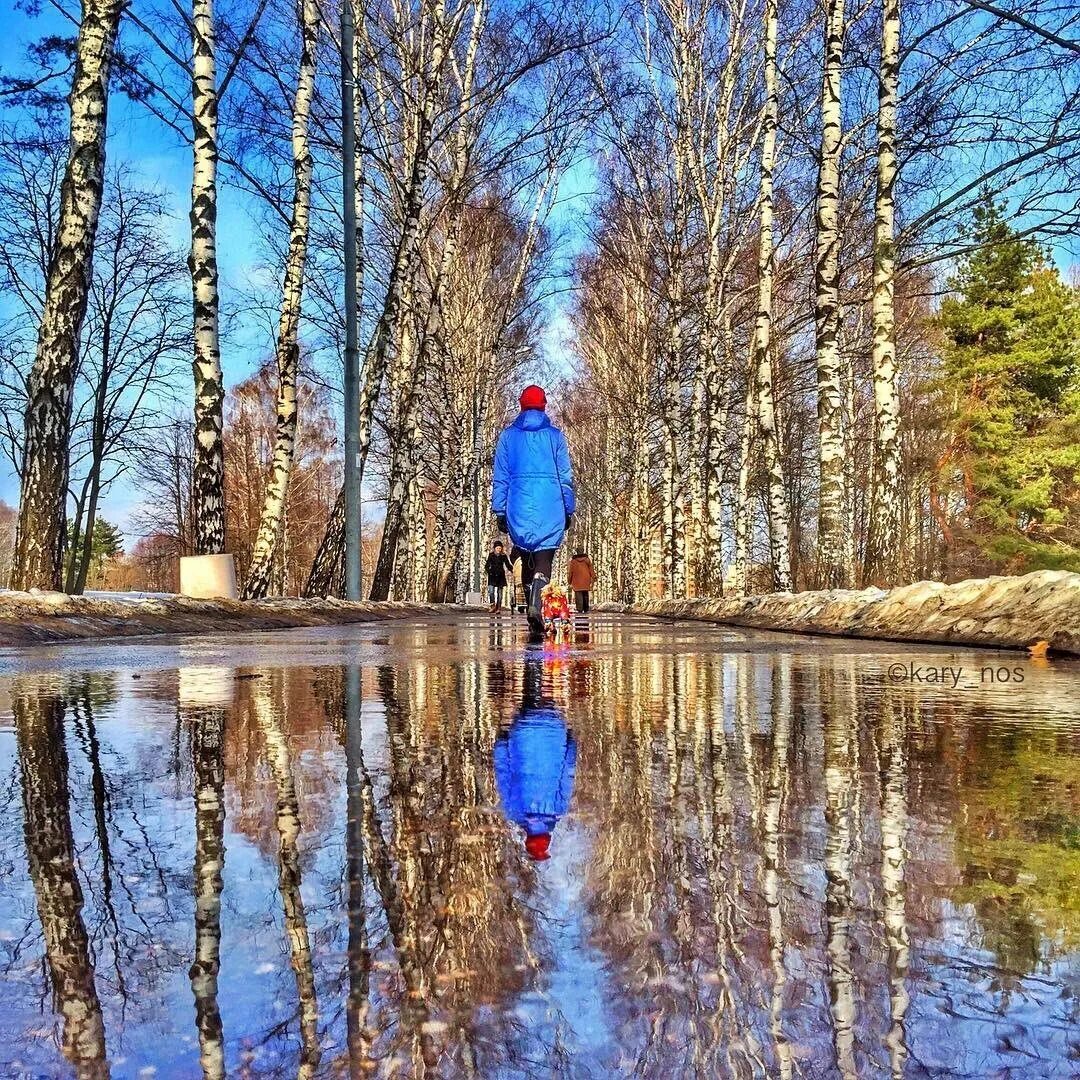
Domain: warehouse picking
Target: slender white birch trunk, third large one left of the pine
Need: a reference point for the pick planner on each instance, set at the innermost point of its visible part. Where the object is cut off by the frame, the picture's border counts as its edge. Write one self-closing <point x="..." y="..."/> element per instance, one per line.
<point x="779" y="546"/>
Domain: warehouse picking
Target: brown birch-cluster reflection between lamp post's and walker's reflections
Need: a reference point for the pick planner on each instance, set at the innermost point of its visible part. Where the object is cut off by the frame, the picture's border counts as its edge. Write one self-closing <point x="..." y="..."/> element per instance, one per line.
<point x="449" y="877"/>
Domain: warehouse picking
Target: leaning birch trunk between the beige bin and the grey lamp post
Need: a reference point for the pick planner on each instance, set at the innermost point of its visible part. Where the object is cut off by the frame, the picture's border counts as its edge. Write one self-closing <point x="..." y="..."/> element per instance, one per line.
<point x="289" y="347"/>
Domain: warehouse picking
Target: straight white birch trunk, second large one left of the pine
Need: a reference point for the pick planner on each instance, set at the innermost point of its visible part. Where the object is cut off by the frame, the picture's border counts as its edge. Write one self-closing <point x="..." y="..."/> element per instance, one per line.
<point x="833" y="570"/>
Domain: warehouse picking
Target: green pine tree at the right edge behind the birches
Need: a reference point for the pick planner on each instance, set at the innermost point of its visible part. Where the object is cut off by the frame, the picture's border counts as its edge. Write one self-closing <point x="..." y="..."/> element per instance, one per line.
<point x="1011" y="389"/>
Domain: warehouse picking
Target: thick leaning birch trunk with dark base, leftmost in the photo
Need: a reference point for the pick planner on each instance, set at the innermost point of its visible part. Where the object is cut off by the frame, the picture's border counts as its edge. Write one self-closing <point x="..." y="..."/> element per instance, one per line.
<point x="38" y="560"/>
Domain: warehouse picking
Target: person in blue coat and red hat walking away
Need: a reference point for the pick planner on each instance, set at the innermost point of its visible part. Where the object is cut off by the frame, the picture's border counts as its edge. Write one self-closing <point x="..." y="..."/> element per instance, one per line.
<point x="533" y="494"/>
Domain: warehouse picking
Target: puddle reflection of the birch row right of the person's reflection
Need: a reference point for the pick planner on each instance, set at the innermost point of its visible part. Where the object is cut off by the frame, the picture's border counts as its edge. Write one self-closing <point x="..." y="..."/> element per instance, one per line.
<point x="731" y="916"/>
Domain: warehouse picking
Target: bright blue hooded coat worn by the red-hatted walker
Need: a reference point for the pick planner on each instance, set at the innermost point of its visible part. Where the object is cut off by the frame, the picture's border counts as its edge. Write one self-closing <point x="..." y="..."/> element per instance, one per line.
<point x="533" y="484"/>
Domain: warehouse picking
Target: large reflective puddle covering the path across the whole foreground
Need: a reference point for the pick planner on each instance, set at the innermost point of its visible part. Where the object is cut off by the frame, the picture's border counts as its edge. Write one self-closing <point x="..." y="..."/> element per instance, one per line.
<point x="425" y="850"/>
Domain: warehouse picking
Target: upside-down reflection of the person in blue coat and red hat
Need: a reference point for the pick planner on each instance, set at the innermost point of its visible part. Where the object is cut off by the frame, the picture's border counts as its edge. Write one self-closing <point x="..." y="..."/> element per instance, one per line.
<point x="534" y="766"/>
